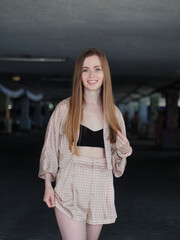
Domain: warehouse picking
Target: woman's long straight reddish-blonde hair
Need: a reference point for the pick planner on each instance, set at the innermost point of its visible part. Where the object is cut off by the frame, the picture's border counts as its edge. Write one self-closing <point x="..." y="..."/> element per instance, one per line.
<point x="74" y="116"/>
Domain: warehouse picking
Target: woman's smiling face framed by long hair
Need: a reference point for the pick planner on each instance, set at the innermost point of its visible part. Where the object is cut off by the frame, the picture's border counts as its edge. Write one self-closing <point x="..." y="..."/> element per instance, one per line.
<point x="92" y="73"/>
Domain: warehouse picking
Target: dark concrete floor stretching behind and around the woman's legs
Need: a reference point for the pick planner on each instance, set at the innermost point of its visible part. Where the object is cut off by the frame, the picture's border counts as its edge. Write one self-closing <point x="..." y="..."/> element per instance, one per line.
<point x="147" y="196"/>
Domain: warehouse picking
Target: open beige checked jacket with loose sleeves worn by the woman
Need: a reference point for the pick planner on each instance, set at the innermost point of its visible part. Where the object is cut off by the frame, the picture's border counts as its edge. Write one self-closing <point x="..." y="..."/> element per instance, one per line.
<point x="56" y="154"/>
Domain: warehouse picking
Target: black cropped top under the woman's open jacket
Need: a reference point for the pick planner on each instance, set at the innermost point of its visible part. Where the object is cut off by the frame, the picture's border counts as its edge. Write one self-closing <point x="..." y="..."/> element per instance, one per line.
<point x="90" y="138"/>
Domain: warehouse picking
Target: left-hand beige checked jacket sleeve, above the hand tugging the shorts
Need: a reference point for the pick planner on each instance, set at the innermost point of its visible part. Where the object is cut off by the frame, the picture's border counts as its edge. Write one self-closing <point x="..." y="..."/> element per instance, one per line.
<point x="49" y="153"/>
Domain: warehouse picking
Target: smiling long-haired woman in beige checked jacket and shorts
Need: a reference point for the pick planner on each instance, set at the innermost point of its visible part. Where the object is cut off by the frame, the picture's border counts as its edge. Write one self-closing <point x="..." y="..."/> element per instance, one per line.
<point x="85" y="144"/>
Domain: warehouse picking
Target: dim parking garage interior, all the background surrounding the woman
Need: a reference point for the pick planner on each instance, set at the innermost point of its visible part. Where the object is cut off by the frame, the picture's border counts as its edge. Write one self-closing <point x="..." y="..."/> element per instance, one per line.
<point x="39" y="44"/>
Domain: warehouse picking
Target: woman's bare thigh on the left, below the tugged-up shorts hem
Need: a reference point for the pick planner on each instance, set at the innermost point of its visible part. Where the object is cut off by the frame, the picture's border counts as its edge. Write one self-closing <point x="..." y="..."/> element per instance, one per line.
<point x="69" y="228"/>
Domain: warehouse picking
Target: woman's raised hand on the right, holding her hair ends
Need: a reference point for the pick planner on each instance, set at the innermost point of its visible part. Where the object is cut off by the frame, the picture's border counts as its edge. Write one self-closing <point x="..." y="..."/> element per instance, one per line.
<point x="122" y="143"/>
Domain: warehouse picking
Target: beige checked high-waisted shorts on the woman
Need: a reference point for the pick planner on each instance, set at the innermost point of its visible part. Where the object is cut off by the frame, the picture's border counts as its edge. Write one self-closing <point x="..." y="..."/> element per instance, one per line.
<point x="84" y="191"/>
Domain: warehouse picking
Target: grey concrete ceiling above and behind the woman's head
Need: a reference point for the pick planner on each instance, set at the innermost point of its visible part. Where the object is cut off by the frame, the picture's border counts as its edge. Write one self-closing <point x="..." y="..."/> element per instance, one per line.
<point x="141" y="40"/>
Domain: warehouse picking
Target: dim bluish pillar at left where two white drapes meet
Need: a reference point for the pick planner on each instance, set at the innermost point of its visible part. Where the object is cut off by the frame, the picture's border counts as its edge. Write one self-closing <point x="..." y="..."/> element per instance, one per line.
<point x="25" y="122"/>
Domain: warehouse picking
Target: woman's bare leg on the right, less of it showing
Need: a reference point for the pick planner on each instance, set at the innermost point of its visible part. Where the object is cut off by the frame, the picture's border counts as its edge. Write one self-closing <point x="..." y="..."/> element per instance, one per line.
<point x="93" y="231"/>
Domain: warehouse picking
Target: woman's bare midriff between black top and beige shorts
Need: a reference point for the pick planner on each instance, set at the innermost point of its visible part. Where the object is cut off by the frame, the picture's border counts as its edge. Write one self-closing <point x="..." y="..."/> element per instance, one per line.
<point x="91" y="152"/>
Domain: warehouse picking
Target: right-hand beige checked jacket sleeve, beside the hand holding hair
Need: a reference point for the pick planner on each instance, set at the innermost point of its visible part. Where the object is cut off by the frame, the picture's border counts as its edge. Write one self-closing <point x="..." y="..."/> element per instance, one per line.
<point x="119" y="160"/>
